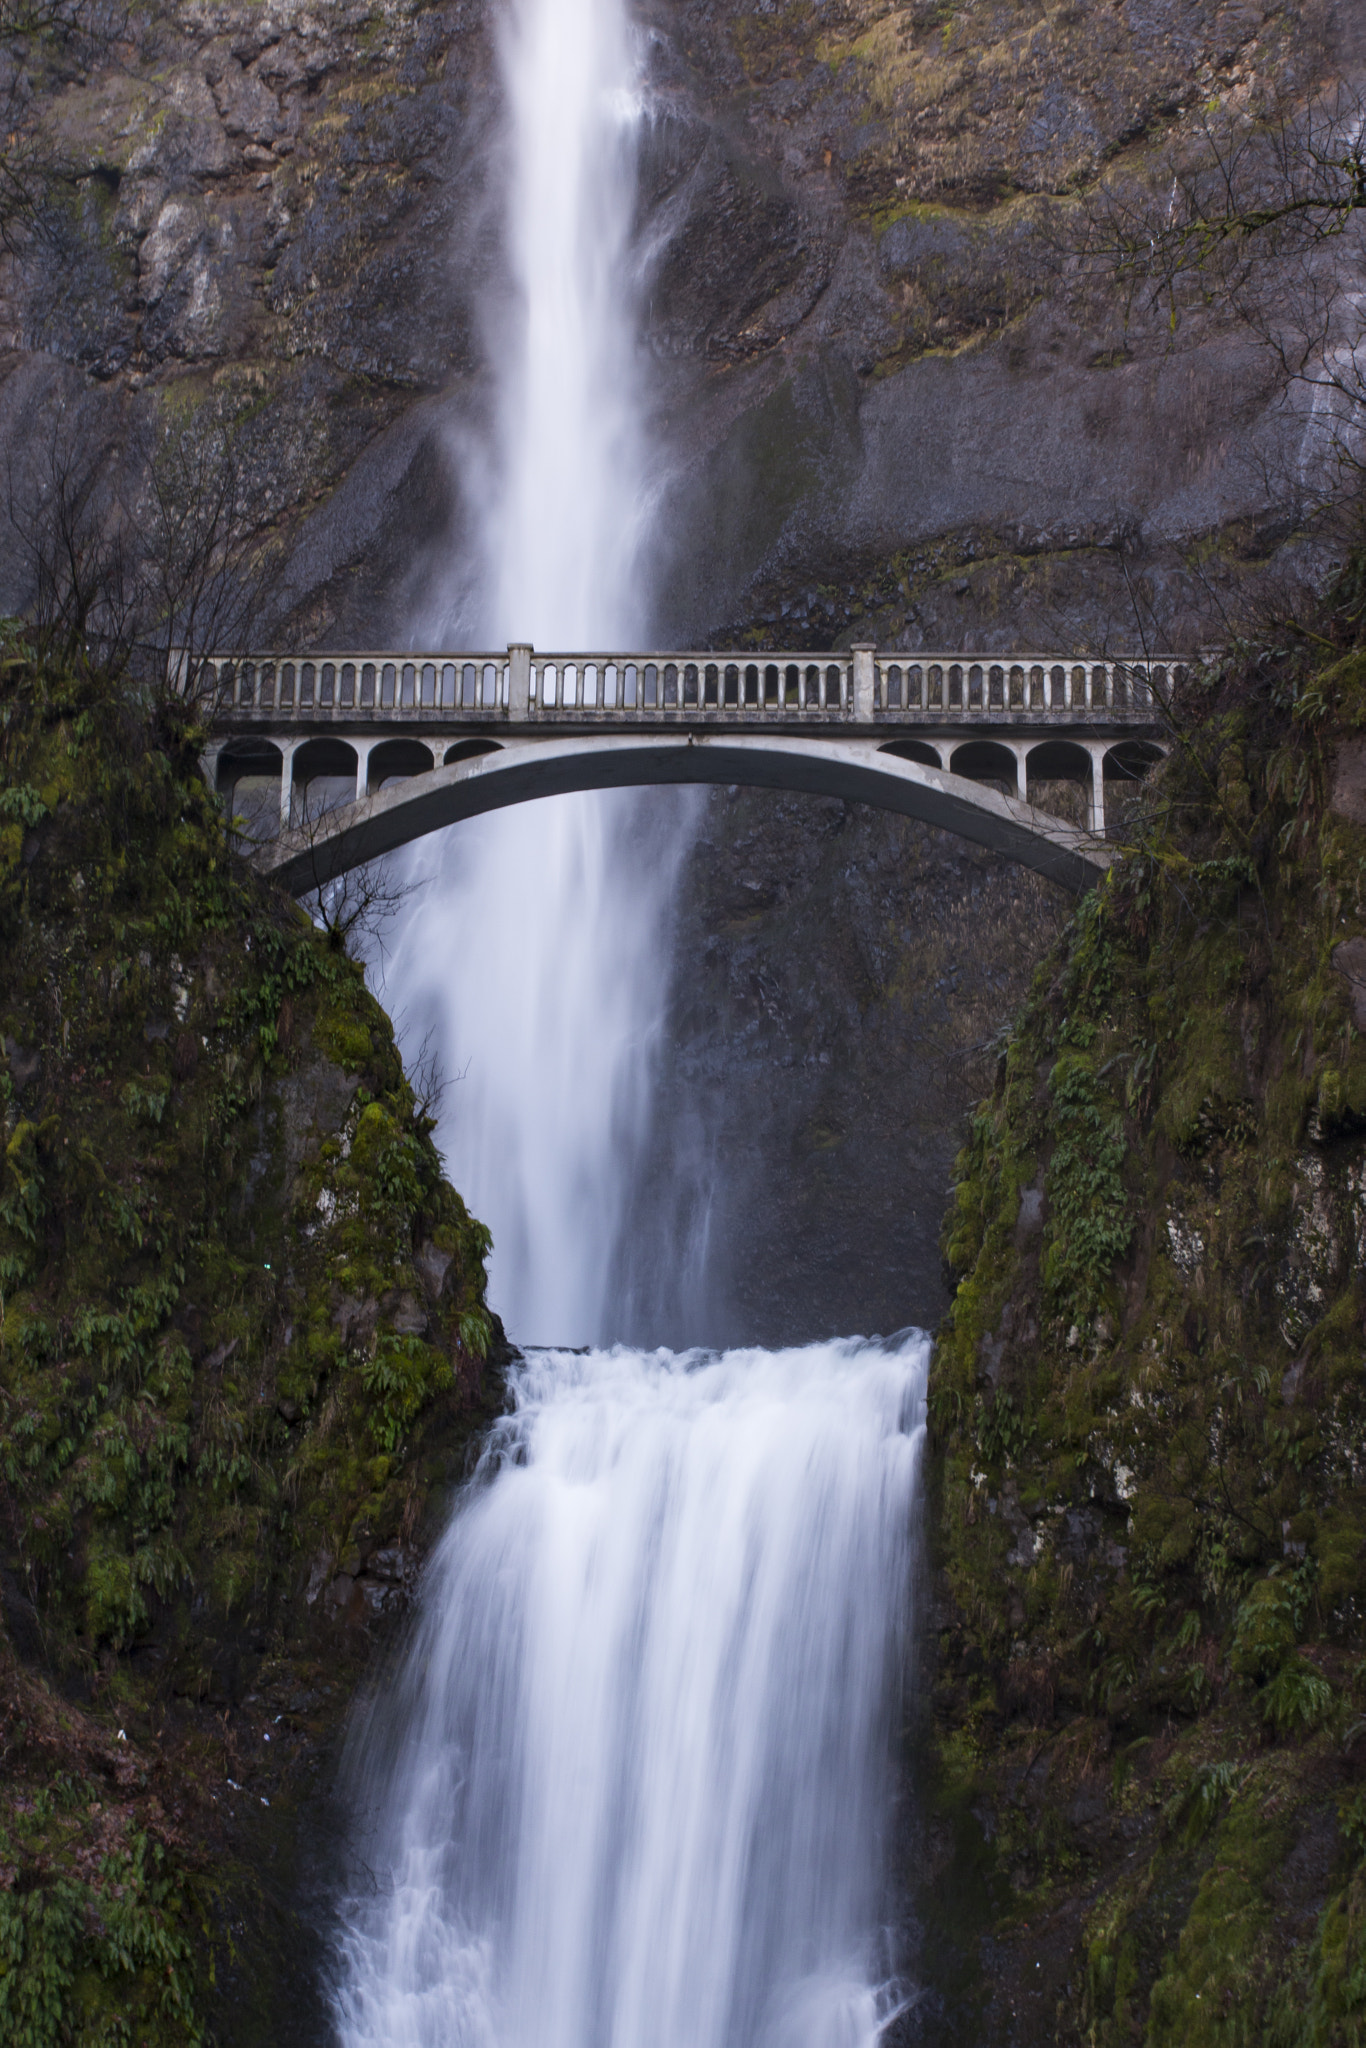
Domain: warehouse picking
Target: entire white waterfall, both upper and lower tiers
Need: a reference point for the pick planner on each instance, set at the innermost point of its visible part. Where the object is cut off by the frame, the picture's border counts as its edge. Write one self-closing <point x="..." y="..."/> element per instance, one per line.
<point x="630" y="1785"/>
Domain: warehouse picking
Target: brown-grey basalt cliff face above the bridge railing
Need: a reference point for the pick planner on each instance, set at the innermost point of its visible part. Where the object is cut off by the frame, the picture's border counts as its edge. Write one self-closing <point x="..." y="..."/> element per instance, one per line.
<point x="878" y="407"/>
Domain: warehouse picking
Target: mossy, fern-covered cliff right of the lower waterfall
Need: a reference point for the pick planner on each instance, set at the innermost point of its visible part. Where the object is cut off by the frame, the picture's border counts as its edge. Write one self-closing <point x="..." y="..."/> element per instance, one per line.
<point x="1150" y="1408"/>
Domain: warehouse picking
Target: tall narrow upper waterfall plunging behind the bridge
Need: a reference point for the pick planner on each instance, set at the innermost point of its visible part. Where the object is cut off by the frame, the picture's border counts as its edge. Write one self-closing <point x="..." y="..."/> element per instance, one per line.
<point x="538" y="945"/>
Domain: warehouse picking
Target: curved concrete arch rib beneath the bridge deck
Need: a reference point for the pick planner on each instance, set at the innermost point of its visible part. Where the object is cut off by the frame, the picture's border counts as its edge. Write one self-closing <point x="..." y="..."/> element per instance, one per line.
<point x="519" y="771"/>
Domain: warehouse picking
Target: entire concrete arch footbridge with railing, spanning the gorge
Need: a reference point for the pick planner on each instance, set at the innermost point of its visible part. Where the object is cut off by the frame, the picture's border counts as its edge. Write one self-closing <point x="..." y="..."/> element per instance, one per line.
<point x="339" y="759"/>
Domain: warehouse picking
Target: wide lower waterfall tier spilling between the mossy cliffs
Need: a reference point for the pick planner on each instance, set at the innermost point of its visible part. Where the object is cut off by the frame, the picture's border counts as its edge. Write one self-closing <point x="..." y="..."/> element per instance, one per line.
<point x="632" y="1783"/>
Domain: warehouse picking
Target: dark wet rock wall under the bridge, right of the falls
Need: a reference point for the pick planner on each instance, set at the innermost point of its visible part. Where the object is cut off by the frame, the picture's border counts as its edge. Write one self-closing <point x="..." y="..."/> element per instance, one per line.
<point x="843" y="980"/>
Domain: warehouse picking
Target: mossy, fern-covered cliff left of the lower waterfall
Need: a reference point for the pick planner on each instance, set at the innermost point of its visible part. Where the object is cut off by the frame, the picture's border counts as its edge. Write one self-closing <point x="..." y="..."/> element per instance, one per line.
<point x="245" y="1347"/>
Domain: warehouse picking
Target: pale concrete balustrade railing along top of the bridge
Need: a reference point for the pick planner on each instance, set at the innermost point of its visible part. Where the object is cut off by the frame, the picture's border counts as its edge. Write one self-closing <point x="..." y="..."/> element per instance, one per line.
<point x="523" y="685"/>
